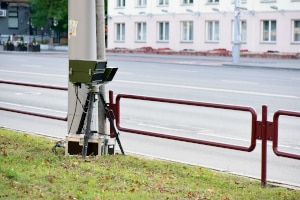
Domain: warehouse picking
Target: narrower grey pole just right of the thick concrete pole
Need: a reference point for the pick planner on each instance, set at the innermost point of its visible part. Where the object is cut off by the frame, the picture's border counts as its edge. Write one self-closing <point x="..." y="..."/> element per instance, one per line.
<point x="101" y="56"/>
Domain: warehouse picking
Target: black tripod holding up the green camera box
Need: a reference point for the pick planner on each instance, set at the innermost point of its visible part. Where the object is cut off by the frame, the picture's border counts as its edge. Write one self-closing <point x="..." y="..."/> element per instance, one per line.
<point x="87" y="114"/>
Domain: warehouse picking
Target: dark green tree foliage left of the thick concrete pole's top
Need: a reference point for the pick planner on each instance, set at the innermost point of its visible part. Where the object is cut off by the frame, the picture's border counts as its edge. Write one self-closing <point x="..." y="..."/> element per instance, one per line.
<point x="50" y="11"/>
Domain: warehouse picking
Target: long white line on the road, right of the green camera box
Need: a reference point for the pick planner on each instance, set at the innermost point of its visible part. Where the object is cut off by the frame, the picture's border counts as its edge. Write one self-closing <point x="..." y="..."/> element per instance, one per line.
<point x="209" y="89"/>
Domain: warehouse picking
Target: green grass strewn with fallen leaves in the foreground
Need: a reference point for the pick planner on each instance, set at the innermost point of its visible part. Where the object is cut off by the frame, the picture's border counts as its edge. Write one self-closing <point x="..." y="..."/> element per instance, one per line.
<point x="29" y="170"/>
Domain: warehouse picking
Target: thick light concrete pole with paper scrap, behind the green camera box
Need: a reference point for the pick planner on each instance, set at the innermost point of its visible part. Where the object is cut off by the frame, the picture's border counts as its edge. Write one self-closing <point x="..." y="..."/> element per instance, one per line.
<point x="82" y="46"/>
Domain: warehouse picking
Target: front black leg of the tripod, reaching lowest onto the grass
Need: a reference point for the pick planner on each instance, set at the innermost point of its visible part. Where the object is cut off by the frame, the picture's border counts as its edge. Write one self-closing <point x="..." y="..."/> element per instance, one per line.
<point x="88" y="125"/>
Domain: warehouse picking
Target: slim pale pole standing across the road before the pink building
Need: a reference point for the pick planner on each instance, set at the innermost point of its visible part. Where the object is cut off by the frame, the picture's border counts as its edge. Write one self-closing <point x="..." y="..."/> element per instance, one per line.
<point x="237" y="33"/>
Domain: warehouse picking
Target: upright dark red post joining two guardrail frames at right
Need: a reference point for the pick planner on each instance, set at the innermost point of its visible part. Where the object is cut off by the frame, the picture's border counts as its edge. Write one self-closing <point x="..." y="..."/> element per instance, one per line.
<point x="264" y="146"/>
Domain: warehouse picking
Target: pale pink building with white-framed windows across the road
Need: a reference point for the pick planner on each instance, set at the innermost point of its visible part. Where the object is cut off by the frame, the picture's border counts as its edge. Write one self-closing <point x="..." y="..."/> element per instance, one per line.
<point x="201" y="25"/>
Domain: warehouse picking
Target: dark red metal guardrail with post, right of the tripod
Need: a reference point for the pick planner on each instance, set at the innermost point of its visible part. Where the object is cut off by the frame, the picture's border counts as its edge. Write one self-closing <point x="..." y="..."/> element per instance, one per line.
<point x="263" y="130"/>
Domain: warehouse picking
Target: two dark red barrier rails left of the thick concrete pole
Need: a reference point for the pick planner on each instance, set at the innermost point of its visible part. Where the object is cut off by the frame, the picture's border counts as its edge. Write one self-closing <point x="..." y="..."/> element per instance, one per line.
<point x="32" y="113"/>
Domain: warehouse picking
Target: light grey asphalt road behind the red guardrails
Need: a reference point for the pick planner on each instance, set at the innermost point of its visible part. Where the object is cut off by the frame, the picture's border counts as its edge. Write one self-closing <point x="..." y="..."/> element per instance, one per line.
<point x="176" y="78"/>
